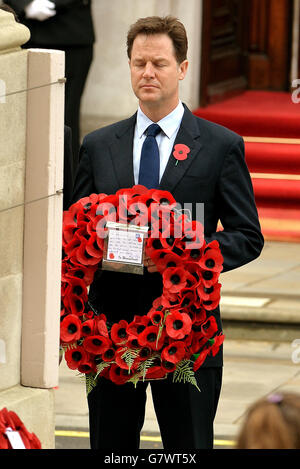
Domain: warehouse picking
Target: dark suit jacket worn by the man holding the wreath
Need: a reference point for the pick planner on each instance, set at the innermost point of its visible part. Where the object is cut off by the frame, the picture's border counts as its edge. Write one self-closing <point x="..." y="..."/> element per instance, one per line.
<point x="214" y="173"/>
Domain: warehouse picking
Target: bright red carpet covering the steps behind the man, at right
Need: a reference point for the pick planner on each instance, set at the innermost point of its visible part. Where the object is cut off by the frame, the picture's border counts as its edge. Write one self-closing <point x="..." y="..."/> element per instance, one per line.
<point x="274" y="166"/>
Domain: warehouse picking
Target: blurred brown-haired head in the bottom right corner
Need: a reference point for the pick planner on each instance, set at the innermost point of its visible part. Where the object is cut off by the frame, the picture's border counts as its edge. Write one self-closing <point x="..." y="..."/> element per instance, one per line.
<point x="272" y="423"/>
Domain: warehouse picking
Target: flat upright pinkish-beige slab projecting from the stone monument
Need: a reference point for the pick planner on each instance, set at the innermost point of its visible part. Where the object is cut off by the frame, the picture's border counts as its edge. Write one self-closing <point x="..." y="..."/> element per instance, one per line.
<point x="43" y="218"/>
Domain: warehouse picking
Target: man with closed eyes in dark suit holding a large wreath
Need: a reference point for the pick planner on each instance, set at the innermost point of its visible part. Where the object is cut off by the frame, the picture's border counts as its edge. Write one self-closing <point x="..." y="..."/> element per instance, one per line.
<point x="214" y="173"/>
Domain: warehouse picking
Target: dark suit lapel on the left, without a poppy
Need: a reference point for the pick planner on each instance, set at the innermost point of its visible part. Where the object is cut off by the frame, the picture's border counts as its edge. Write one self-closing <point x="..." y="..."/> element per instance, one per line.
<point x="121" y="151"/>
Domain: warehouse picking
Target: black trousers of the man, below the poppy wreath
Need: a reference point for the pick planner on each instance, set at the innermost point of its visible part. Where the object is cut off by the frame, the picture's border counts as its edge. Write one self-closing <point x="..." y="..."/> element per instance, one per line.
<point x="185" y="415"/>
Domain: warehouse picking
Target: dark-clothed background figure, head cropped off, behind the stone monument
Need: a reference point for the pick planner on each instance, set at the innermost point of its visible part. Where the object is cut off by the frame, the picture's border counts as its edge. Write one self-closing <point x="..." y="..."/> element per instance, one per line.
<point x="64" y="25"/>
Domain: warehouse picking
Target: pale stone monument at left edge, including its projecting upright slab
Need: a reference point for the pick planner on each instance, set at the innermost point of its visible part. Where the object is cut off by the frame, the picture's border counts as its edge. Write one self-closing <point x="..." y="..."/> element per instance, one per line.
<point x="31" y="182"/>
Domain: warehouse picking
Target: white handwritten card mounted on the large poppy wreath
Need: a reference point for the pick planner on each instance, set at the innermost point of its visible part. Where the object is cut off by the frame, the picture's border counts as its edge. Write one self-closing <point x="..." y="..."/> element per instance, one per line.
<point x="125" y="246"/>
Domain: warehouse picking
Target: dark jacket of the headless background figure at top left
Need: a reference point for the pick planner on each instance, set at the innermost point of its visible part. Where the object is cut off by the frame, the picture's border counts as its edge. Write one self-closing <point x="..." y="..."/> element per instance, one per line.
<point x="71" y="26"/>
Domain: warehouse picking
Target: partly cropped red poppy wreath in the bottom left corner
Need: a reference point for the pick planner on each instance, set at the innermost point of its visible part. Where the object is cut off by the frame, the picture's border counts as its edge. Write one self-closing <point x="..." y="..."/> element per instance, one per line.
<point x="9" y="421"/>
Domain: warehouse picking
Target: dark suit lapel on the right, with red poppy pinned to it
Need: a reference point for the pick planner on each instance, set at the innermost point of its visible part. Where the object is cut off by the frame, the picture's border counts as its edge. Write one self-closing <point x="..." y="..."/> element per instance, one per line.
<point x="188" y="134"/>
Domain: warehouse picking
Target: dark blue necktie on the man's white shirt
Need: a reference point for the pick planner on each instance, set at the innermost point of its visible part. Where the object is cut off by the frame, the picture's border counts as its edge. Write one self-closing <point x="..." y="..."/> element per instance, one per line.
<point x="149" y="164"/>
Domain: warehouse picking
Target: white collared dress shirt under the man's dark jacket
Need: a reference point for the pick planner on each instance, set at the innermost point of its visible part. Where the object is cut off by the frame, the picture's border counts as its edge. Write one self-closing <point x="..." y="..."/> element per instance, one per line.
<point x="165" y="140"/>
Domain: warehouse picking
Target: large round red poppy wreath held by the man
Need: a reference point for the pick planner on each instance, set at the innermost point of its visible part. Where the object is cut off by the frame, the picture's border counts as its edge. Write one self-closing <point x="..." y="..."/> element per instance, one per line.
<point x="179" y="331"/>
